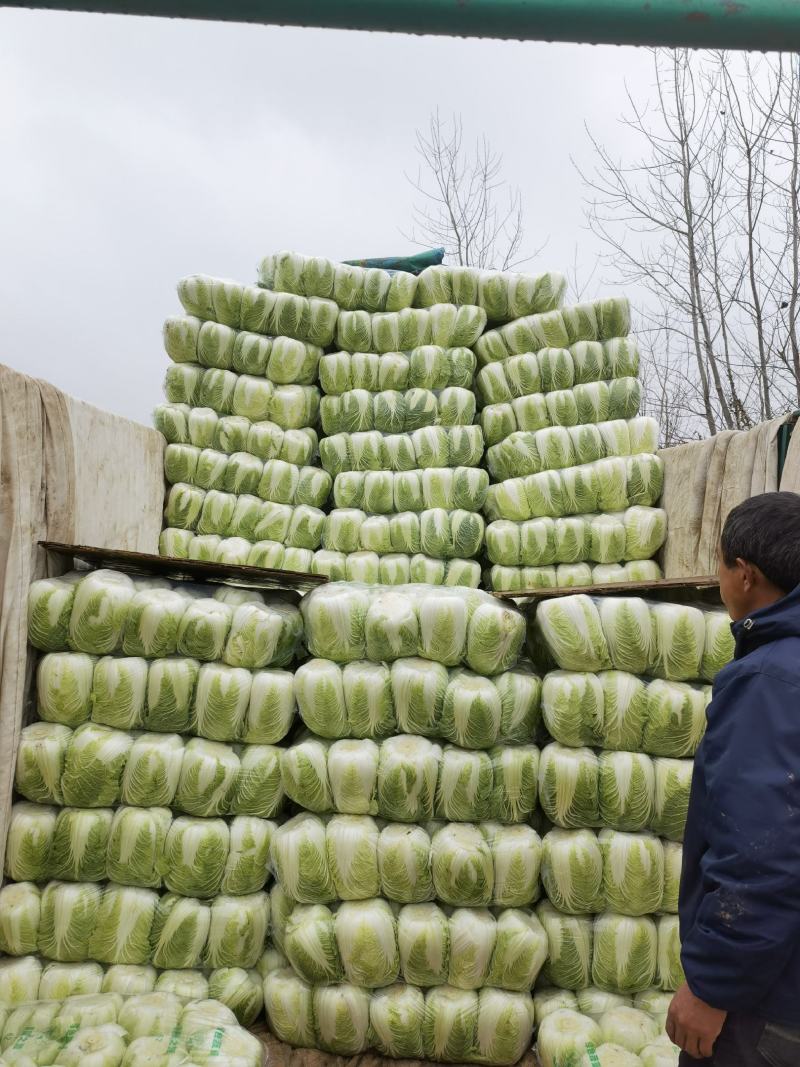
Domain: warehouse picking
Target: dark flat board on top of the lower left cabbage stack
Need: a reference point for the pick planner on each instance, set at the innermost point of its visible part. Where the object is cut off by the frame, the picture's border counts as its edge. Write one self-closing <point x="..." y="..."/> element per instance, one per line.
<point x="187" y="570"/>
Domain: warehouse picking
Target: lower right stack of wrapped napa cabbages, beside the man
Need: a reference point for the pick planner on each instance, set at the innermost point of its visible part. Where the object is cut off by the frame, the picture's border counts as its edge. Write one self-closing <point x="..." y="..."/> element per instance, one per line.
<point x="626" y="707"/>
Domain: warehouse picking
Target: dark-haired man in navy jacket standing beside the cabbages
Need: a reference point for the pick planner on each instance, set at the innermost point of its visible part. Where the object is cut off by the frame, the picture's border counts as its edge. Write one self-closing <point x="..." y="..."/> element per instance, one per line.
<point x="741" y="888"/>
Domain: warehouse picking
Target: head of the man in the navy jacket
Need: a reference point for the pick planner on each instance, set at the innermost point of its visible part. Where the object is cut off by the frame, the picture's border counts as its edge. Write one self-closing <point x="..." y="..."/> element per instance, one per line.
<point x="760" y="553"/>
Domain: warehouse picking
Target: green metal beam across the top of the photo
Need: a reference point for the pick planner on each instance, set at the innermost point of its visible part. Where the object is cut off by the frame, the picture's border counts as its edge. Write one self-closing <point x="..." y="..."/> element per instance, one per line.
<point x="755" y="25"/>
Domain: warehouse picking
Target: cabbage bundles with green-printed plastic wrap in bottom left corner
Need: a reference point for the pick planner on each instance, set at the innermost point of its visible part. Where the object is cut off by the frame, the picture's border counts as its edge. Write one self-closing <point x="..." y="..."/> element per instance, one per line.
<point x="111" y="1030"/>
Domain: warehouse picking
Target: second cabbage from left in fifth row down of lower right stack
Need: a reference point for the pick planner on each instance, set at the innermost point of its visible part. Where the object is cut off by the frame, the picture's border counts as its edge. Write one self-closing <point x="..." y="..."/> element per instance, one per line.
<point x="626" y="953"/>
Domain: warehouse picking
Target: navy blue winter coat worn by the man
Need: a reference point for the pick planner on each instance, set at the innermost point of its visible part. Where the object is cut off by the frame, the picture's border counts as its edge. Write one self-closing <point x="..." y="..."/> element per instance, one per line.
<point x="741" y="886"/>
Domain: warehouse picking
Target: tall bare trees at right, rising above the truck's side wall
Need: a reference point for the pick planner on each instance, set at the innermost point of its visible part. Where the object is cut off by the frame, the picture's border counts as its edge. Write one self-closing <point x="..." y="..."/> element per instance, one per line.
<point x="705" y="222"/>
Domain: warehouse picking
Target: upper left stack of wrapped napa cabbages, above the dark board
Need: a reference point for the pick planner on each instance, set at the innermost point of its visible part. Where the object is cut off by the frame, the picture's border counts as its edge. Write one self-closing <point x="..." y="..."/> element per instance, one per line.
<point x="241" y="425"/>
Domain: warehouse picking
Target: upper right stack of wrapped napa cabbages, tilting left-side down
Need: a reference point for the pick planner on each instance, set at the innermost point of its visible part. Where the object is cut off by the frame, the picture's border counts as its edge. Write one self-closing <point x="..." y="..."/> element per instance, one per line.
<point x="575" y="476"/>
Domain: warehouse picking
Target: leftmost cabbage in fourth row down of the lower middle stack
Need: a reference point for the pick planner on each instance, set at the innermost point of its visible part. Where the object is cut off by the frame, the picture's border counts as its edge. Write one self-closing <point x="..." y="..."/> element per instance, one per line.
<point x="300" y="859"/>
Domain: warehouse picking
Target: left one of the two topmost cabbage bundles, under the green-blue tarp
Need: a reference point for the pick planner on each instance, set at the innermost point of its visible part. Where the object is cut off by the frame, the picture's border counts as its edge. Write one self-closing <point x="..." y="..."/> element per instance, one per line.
<point x="350" y="286"/>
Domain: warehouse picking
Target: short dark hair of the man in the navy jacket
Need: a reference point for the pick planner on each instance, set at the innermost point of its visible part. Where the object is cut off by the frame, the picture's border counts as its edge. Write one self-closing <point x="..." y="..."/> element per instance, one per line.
<point x="765" y="531"/>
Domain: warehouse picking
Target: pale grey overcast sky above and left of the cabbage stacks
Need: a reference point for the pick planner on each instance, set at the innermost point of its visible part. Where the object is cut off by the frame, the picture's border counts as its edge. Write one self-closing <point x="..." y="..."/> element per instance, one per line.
<point x="137" y="151"/>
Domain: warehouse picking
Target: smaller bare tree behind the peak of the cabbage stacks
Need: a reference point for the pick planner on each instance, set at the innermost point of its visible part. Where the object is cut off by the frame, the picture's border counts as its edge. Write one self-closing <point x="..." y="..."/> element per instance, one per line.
<point x="466" y="205"/>
